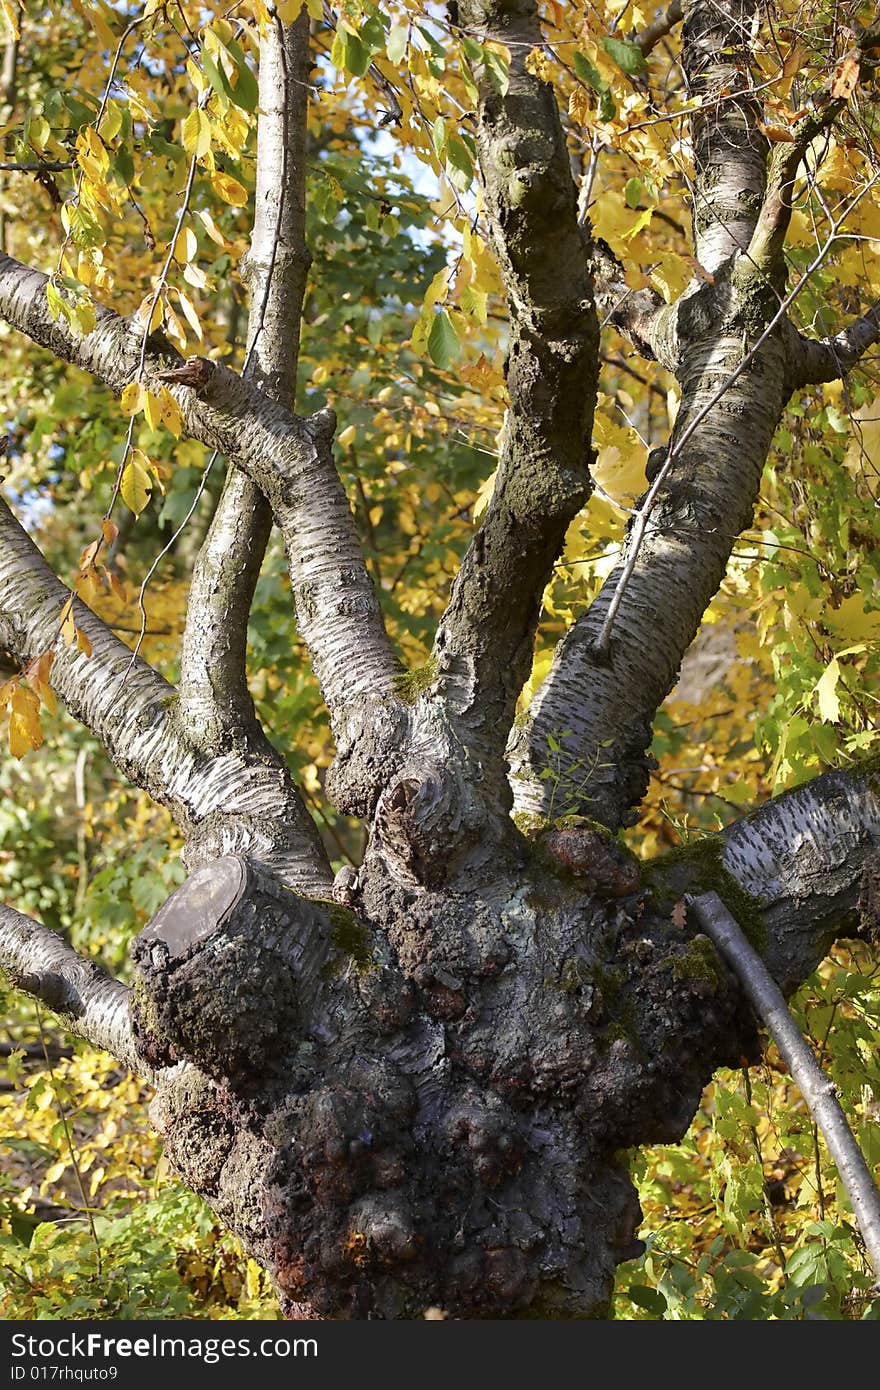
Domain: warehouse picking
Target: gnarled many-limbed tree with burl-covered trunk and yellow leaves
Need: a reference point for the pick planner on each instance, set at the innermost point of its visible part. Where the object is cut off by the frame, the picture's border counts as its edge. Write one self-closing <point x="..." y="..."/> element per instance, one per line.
<point x="412" y="1084"/>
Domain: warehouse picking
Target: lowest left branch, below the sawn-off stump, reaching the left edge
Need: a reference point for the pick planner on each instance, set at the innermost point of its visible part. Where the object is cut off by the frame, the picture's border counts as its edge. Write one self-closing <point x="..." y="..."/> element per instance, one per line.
<point x="90" y="1003"/>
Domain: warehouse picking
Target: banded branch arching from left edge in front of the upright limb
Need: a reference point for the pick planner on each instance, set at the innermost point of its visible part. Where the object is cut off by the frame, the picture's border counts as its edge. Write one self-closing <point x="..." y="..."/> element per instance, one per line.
<point x="291" y="462"/>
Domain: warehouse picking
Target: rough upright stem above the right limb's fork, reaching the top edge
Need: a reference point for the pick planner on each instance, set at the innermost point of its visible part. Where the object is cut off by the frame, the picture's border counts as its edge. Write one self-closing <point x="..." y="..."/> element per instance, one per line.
<point x="729" y="149"/>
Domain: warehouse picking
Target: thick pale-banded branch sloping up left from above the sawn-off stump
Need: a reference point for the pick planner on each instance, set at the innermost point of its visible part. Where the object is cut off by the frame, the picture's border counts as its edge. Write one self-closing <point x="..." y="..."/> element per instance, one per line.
<point x="240" y="800"/>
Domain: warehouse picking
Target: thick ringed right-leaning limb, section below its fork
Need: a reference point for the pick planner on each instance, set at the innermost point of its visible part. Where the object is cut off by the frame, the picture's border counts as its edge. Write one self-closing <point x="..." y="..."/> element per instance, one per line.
<point x="590" y="725"/>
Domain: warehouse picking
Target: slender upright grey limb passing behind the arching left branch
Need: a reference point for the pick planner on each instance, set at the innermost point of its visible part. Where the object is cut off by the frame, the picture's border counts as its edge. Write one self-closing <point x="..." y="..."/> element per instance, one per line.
<point x="213" y="682"/>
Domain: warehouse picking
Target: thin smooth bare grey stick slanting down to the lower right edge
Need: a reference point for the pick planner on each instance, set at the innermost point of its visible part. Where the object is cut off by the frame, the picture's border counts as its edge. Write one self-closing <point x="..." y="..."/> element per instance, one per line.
<point x="815" y="1088"/>
